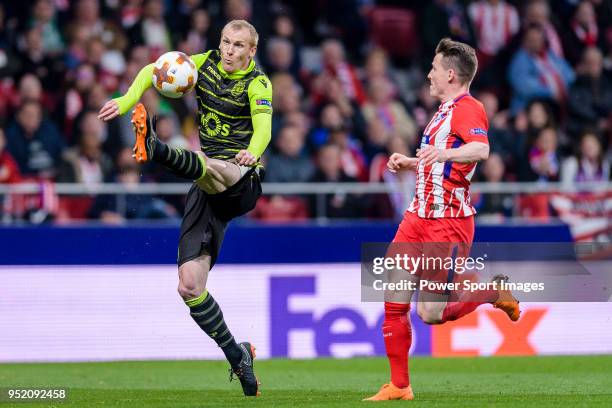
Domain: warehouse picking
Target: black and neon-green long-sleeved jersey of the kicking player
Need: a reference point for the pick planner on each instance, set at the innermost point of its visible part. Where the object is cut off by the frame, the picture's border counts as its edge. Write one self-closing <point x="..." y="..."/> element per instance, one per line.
<point x="234" y="109"/>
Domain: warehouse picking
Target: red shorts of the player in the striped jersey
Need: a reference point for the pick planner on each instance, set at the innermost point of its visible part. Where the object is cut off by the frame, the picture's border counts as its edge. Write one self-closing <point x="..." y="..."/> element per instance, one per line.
<point x="436" y="240"/>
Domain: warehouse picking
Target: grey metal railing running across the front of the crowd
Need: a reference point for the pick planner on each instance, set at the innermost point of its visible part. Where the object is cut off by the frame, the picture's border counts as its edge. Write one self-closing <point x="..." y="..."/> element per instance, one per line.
<point x="531" y="200"/>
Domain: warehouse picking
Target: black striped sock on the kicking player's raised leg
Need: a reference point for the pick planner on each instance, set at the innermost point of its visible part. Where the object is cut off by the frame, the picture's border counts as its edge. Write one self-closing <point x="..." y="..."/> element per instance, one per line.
<point x="183" y="163"/>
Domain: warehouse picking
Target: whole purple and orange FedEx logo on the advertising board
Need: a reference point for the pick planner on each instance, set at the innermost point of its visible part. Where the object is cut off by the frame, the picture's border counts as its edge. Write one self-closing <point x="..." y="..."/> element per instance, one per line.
<point x="508" y="338"/>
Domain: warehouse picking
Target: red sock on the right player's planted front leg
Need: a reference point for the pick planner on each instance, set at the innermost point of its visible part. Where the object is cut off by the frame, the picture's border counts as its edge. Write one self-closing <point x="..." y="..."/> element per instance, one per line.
<point x="397" y="334"/>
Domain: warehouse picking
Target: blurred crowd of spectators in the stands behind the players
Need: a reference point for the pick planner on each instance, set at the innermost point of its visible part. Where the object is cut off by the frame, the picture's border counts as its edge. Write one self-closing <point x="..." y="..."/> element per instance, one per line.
<point x="350" y="87"/>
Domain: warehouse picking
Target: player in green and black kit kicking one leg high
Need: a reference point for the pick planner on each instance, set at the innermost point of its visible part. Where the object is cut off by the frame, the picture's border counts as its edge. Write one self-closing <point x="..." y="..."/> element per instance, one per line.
<point x="235" y="118"/>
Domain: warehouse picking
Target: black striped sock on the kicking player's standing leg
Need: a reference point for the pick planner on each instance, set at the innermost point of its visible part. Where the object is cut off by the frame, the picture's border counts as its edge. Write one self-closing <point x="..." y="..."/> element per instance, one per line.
<point x="207" y="314"/>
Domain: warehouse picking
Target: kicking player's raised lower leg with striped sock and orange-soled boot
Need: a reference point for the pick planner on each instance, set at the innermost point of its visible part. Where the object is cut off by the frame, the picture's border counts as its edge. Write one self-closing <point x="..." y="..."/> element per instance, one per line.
<point x="183" y="163"/>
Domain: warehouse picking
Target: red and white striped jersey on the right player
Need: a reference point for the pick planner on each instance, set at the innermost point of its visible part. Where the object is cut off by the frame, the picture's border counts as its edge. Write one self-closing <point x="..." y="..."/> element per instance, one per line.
<point x="443" y="189"/>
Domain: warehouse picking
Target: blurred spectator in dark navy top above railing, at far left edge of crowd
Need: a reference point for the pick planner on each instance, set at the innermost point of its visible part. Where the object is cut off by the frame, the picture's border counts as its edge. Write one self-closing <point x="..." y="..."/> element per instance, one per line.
<point x="34" y="142"/>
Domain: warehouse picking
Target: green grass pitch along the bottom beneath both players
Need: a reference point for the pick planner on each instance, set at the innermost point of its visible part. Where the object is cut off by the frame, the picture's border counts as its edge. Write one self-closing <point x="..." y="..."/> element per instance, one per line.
<point x="458" y="382"/>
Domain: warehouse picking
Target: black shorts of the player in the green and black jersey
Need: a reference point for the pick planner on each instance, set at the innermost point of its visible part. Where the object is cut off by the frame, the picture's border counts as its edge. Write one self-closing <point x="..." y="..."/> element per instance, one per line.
<point x="207" y="215"/>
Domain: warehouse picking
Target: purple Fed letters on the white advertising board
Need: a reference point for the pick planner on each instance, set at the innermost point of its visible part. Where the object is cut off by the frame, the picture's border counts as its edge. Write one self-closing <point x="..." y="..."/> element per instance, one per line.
<point x="283" y="321"/>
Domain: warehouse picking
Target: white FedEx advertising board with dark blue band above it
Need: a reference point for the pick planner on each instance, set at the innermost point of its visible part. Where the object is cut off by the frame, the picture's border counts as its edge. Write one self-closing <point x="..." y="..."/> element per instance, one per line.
<point x="109" y="293"/>
